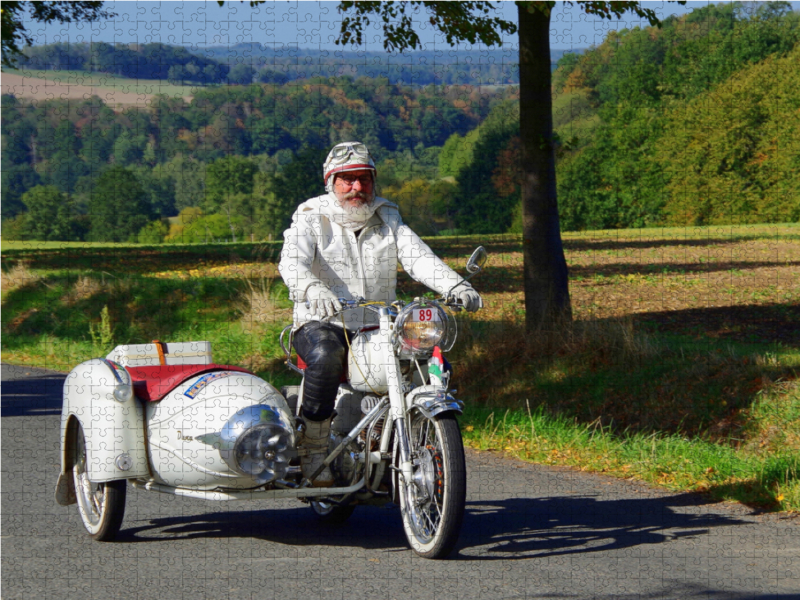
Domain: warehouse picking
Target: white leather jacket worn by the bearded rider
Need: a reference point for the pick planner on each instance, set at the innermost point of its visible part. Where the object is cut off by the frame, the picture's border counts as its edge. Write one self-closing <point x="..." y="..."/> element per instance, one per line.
<point x="318" y="251"/>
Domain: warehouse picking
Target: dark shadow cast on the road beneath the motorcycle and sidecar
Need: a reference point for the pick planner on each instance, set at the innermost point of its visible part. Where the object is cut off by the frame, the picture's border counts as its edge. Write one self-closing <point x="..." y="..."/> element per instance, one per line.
<point x="513" y="528"/>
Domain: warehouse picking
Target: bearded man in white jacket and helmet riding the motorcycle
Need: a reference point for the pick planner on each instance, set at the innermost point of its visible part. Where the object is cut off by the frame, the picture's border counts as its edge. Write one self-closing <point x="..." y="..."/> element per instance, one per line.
<point x="343" y="244"/>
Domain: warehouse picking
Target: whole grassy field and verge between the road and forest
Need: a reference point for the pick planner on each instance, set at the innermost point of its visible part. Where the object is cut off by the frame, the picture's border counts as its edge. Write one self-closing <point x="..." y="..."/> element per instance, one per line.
<point x="680" y="368"/>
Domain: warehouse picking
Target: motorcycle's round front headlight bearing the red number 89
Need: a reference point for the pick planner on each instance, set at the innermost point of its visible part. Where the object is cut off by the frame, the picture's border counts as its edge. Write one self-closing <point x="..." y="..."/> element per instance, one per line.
<point x="422" y="325"/>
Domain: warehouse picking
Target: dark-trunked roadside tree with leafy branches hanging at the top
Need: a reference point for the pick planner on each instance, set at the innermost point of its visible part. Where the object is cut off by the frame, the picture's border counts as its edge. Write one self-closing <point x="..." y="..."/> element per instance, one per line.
<point x="545" y="268"/>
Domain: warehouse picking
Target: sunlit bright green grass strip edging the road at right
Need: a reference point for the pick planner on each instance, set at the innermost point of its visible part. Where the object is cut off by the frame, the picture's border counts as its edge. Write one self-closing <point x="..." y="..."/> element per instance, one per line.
<point x="768" y="480"/>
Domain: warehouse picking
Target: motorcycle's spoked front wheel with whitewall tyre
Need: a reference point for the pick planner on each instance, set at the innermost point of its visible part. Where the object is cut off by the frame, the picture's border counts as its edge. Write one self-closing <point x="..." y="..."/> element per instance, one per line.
<point x="433" y="502"/>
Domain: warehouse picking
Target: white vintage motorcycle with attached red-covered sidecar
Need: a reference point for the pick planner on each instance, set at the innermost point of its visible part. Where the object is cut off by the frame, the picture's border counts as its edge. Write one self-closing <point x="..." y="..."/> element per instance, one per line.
<point x="165" y="418"/>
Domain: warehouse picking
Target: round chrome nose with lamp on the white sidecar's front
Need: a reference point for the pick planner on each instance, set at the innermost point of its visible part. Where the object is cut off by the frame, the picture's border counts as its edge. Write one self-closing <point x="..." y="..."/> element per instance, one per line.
<point x="258" y="441"/>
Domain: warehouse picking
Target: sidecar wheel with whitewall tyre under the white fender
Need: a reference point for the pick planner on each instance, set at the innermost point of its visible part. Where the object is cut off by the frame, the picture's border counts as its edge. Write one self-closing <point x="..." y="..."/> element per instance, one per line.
<point x="101" y="505"/>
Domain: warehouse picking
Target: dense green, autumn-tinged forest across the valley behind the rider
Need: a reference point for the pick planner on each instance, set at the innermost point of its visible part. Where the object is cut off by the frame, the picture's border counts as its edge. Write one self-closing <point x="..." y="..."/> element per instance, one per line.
<point x="695" y="123"/>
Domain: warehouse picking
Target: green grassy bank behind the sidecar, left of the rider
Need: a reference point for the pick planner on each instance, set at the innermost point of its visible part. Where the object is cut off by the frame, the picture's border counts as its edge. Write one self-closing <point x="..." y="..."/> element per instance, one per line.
<point x="48" y="321"/>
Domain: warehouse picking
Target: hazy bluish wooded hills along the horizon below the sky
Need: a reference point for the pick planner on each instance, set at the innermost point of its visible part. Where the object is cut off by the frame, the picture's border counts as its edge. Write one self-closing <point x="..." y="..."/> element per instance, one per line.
<point x="255" y="63"/>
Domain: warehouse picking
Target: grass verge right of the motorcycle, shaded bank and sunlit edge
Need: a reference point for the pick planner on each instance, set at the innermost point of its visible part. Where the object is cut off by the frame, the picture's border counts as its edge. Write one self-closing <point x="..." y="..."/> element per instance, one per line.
<point x="606" y="397"/>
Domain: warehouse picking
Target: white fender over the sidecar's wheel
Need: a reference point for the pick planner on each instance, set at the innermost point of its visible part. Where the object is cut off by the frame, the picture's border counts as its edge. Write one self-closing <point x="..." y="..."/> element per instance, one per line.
<point x="112" y="423"/>
